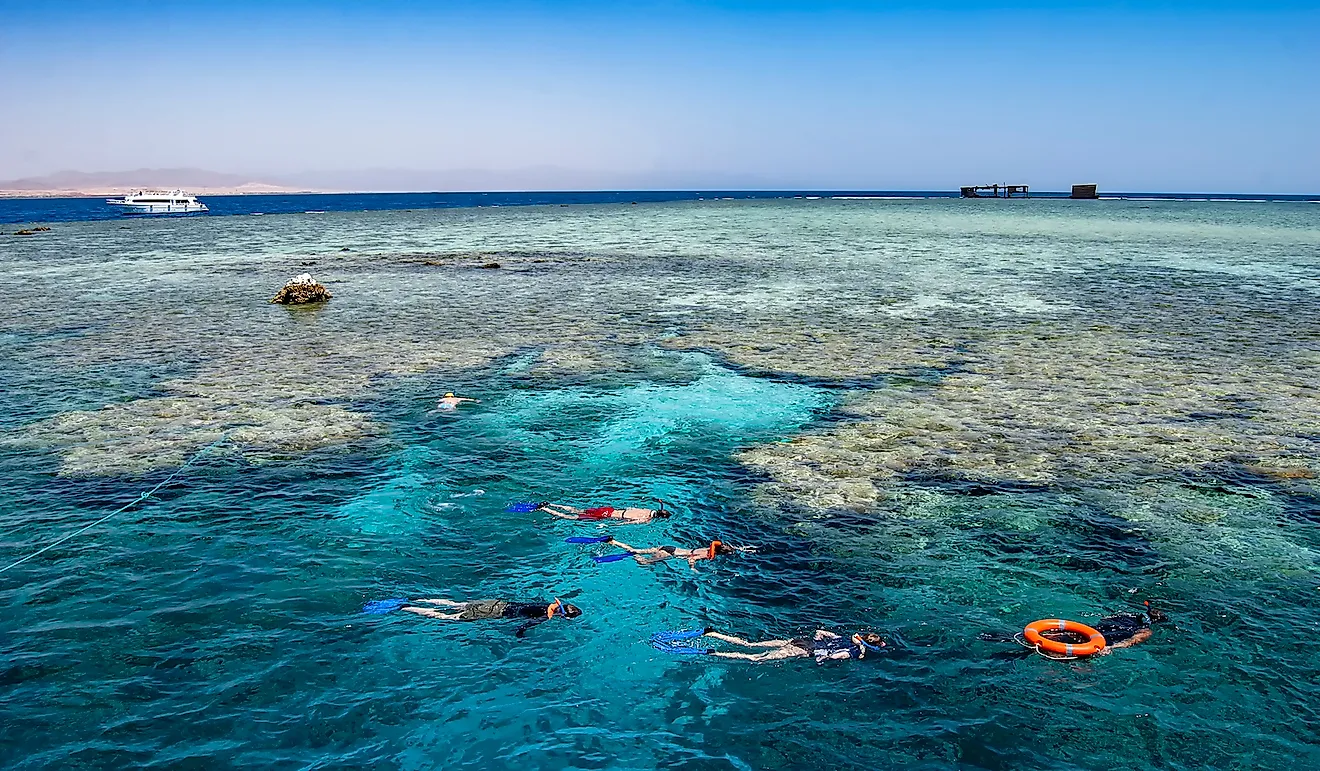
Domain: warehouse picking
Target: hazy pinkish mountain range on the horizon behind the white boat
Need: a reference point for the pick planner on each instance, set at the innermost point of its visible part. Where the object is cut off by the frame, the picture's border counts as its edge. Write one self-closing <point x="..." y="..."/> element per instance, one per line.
<point x="201" y="182"/>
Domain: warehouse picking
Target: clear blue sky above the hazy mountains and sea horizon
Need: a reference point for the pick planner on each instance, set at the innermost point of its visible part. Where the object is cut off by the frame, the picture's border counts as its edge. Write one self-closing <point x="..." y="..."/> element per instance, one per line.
<point x="1214" y="97"/>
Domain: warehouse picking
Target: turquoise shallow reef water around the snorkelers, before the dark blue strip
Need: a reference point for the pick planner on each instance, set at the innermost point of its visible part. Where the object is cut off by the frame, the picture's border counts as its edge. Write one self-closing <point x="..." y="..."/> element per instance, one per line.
<point x="933" y="418"/>
